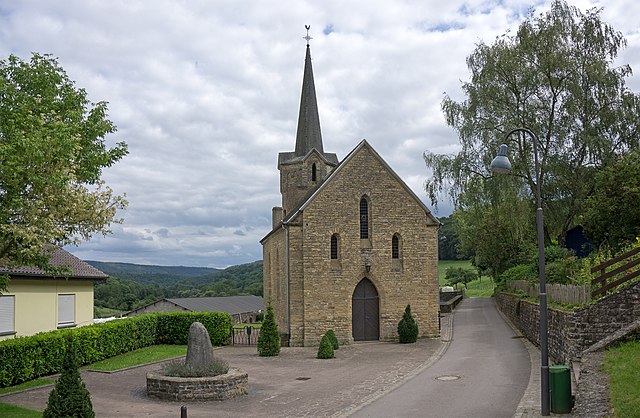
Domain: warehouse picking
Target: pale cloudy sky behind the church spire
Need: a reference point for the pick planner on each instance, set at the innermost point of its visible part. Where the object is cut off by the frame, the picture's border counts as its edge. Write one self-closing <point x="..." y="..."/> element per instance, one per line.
<point x="206" y="93"/>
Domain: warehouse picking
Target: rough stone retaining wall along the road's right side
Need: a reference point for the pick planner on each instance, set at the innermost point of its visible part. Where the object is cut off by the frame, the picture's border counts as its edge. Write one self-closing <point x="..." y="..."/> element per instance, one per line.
<point x="570" y="333"/>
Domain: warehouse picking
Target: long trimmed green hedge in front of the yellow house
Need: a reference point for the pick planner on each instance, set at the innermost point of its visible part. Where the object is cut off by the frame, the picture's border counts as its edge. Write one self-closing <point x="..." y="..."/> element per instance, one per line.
<point x="26" y="358"/>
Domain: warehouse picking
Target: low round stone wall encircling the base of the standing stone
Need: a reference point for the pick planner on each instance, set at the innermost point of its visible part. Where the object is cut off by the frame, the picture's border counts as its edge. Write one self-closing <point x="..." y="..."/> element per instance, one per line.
<point x="226" y="386"/>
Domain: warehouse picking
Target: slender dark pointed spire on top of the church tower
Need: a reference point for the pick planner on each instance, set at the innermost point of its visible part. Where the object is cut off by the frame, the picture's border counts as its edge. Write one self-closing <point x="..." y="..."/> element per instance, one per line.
<point x="308" y="136"/>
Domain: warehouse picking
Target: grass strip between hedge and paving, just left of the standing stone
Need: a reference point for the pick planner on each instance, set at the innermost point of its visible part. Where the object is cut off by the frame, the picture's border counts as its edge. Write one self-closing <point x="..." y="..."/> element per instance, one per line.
<point x="139" y="357"/>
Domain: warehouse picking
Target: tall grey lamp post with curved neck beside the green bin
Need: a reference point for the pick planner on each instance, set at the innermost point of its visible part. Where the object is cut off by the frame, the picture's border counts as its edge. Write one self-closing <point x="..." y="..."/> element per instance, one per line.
<point x="501" y="164"/>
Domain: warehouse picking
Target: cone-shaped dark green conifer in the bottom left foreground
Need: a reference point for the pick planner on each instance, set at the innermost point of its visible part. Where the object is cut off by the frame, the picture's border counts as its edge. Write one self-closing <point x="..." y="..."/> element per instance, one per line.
<point x="69" y="397"/>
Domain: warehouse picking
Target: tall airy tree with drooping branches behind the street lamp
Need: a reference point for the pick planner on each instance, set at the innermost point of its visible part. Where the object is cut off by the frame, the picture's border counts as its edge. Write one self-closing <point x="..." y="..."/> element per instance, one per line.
<point x="556" y="76"/>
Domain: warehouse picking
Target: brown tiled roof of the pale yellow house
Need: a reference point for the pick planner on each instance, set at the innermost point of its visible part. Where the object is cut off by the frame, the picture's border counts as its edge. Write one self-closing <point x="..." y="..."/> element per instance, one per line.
<point x="78" y="269"/>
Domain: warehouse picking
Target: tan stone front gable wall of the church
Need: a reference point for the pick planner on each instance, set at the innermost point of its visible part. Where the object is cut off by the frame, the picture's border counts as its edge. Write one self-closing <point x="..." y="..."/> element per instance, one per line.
<point x="327" y="288"/>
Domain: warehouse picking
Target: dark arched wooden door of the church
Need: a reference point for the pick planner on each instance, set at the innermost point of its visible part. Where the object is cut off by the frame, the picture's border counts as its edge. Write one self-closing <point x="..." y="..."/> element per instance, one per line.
<point x="365" y="312"/>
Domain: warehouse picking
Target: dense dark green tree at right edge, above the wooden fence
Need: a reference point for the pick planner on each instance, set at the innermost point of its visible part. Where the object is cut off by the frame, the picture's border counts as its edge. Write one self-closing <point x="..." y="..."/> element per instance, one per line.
<point x="611" y="215"/>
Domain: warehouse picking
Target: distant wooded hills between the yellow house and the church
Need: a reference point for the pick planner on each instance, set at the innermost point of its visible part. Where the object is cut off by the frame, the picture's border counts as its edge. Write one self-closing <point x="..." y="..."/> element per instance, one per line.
<point x="131" y="286"/>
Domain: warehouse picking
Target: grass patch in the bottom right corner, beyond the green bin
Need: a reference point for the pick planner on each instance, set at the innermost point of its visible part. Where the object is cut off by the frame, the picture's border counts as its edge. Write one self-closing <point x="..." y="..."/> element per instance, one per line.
<point x="624" y="379"/>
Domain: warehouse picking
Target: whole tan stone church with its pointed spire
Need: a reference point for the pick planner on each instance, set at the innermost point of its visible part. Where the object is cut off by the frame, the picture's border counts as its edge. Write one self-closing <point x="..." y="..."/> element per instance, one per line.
<point x="351" y="245"/>
